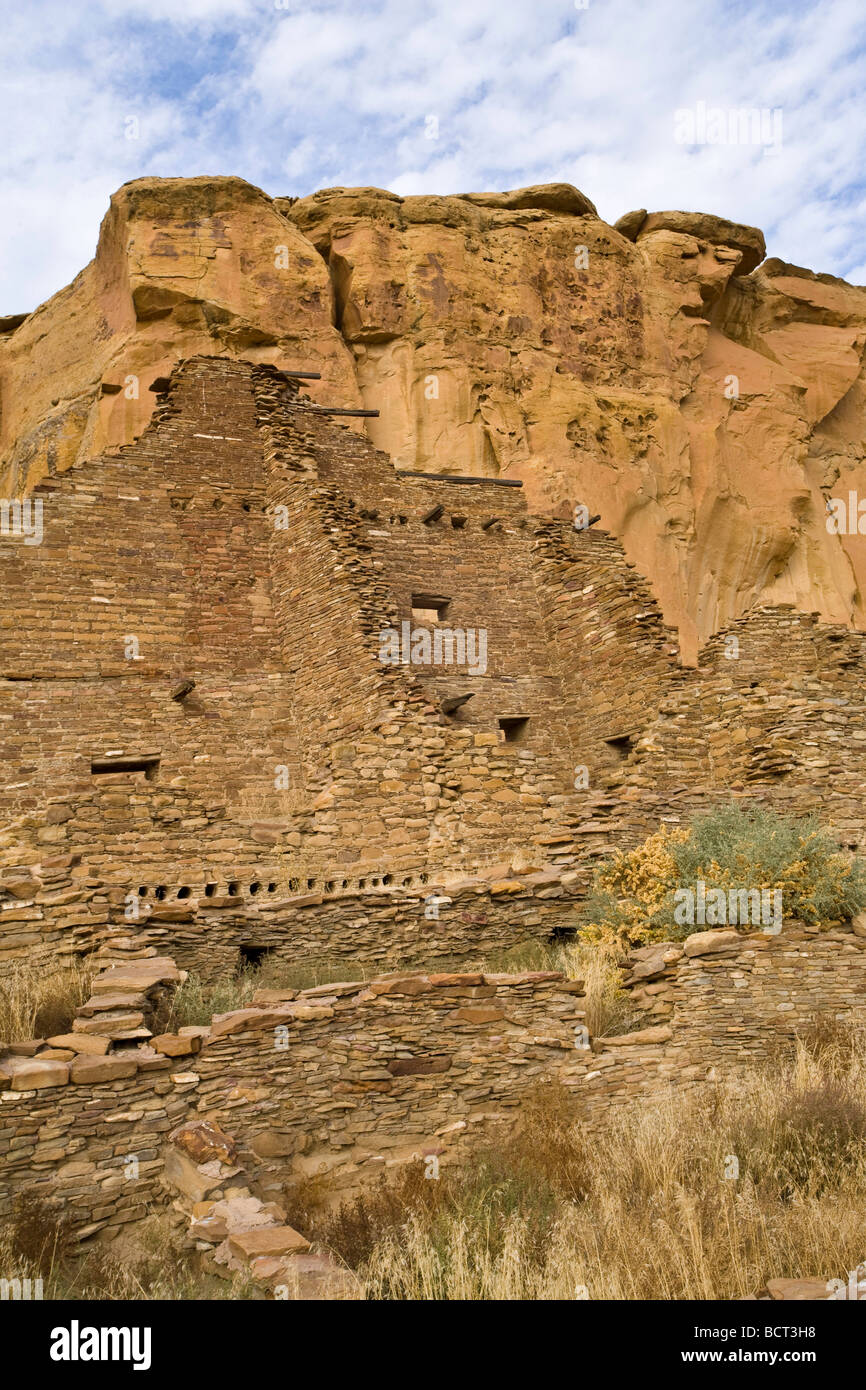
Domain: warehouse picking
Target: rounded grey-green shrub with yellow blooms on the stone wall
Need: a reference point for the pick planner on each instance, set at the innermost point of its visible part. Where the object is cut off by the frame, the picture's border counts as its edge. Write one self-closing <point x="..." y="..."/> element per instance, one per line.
<point x="633" y="897"/>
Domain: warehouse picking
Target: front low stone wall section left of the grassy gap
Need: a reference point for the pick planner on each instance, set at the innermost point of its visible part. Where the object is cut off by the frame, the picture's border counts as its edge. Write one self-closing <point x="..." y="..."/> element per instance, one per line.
<point x="347" y="1077"/>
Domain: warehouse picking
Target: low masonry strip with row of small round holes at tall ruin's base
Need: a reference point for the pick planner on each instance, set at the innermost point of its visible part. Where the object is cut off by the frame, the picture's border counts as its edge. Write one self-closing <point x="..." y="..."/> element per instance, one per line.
<point x="56" y="906"/>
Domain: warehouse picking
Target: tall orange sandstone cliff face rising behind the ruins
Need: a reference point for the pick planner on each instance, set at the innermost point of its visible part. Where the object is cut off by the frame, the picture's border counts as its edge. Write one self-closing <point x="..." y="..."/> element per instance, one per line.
<point x="703" y="400"/>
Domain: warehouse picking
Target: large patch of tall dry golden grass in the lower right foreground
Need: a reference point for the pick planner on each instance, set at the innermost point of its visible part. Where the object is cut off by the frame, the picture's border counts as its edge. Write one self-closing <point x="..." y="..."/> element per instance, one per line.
<point x="642" y="1209"/>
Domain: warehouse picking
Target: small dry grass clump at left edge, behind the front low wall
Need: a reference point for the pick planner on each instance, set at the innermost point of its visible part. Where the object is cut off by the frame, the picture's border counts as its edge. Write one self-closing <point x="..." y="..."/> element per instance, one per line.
<point x="40" y="999"/>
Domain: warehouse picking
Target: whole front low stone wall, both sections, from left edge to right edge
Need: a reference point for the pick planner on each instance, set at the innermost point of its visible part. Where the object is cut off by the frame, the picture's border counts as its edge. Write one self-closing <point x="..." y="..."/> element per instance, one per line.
<point x="348" y="1079"/>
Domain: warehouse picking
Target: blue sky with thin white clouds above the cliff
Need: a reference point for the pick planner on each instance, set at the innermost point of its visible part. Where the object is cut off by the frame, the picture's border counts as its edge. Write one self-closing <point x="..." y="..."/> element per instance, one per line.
<point x="630" y="101"/>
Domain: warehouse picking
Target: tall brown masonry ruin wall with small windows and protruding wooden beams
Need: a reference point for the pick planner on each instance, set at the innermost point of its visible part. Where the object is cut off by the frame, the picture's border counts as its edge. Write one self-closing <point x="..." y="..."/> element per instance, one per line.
<point x="250" y="544"/>
